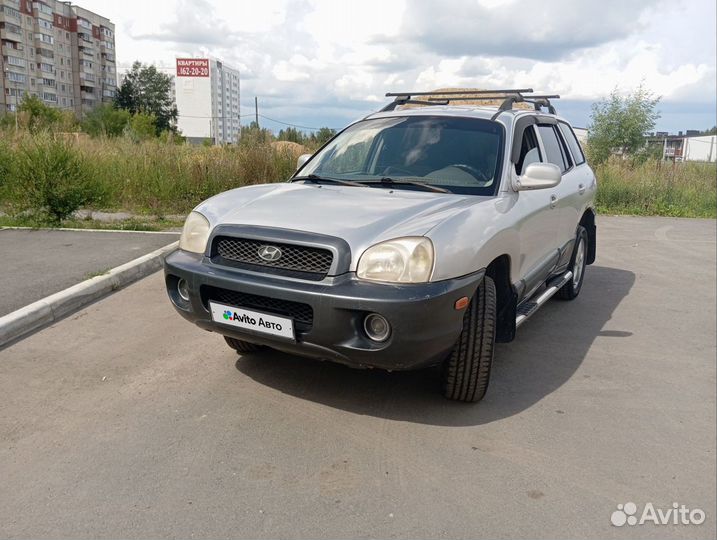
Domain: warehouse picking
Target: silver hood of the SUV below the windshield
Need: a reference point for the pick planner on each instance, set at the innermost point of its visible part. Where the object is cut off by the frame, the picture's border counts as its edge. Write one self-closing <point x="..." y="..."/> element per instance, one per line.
<point x="361" y="216"/>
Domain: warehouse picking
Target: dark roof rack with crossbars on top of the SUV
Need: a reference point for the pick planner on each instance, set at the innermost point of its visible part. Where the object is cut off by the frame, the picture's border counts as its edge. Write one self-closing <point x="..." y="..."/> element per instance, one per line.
<point x="509" y="97"/>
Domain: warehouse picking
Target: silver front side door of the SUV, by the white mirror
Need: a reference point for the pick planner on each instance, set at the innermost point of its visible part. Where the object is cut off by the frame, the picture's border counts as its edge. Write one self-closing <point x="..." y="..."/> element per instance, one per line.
<point x="539" y="220"/>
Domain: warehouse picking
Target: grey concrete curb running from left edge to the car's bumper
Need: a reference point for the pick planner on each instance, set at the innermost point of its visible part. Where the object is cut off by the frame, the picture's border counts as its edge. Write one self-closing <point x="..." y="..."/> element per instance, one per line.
<point x="56" y="306"/>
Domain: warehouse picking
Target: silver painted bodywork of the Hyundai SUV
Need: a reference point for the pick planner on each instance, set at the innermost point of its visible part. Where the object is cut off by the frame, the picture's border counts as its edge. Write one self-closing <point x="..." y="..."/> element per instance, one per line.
<point x="468" y="232"/>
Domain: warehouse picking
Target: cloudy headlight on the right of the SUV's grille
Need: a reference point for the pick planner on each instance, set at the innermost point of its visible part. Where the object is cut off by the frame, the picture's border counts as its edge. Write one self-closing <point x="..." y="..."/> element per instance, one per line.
<point x="403" y="260"/>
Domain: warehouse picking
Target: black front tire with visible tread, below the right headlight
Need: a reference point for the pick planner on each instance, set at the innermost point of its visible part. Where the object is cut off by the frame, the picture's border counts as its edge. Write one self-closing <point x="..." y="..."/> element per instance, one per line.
<point x="466" y="371"/>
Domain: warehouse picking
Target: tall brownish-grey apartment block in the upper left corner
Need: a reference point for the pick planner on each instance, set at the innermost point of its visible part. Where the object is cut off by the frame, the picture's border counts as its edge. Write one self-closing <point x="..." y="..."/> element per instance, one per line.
<point x="57" y="51"/>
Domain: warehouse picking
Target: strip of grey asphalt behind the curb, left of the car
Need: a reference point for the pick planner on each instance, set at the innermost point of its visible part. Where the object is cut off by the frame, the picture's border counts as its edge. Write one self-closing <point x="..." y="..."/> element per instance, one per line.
<point x="37" y="263"/>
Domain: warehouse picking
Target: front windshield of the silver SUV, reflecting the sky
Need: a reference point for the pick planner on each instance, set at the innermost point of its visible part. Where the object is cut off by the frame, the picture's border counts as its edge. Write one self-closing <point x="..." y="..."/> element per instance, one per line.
<point x="461" y="155"/>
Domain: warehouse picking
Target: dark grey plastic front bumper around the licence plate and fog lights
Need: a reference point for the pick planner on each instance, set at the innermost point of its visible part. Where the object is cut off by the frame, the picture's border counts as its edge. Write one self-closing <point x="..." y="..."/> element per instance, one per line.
<point x="425" y="324"/>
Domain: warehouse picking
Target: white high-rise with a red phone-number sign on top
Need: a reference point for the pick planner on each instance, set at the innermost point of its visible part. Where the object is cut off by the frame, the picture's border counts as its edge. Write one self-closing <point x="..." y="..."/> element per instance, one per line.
<point x="207" y="96"/>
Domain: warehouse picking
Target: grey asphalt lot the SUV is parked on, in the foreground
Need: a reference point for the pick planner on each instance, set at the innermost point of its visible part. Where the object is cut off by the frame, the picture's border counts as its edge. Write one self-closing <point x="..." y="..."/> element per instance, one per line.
<point x="126" y="421"/>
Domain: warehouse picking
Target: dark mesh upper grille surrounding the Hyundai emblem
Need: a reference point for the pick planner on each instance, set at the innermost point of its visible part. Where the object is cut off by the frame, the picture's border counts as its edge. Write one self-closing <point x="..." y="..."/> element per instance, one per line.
<point x="295" y="261"/>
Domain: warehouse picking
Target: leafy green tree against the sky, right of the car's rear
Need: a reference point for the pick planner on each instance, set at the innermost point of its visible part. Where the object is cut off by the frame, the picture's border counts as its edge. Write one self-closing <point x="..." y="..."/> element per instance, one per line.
<point x="619" y="124"/>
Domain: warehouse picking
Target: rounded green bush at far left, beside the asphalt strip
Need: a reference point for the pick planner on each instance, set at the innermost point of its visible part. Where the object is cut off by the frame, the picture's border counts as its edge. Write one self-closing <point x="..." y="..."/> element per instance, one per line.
<point x="50" y="180"/>
